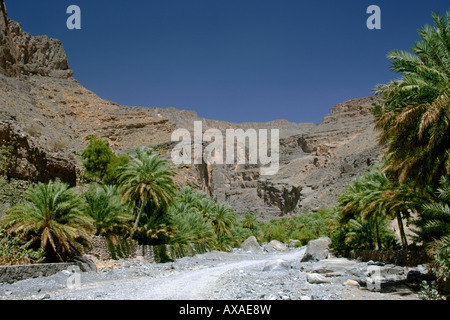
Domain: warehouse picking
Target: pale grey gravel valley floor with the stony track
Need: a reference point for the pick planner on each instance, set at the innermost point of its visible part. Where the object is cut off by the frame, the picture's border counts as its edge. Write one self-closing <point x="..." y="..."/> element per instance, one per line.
<point x="236" y="275"/>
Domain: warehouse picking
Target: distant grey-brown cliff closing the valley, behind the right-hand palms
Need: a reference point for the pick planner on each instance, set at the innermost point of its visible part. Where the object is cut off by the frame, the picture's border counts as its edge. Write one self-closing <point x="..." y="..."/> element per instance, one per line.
<point x="316" y="162"/>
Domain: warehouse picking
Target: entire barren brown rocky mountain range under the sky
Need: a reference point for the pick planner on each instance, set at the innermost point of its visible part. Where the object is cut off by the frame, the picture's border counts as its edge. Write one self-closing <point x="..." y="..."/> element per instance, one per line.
<point x="47" y="116"/>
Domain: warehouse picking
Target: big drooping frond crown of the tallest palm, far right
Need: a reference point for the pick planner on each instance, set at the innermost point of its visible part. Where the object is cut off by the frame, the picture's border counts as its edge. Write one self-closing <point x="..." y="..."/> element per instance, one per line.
<point x="414" y="112"/>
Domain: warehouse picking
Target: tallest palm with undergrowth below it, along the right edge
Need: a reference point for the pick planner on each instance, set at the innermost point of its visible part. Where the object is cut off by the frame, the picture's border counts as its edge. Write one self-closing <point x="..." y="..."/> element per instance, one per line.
<point x="413" y="117"/>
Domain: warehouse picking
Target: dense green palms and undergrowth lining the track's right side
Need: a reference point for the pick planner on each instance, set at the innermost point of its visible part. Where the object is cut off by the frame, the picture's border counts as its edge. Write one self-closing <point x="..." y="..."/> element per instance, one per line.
<point x="412" y="181"/>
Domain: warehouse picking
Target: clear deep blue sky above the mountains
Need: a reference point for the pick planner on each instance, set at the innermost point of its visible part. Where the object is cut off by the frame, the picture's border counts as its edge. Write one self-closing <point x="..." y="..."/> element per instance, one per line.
<point x="233" y="60"/>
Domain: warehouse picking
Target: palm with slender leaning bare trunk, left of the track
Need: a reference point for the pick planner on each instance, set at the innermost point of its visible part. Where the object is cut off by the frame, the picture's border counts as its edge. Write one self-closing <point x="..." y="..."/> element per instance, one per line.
<point x="146" y="178"/>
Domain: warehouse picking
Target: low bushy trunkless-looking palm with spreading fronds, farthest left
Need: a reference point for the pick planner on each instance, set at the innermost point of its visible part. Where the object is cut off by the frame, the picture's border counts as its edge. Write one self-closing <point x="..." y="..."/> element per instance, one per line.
<point x="52" y="217"/>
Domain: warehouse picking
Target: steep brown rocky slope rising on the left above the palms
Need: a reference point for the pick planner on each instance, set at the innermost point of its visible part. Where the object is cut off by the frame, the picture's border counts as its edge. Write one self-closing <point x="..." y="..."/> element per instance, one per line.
<point x="46" y="115"/>
